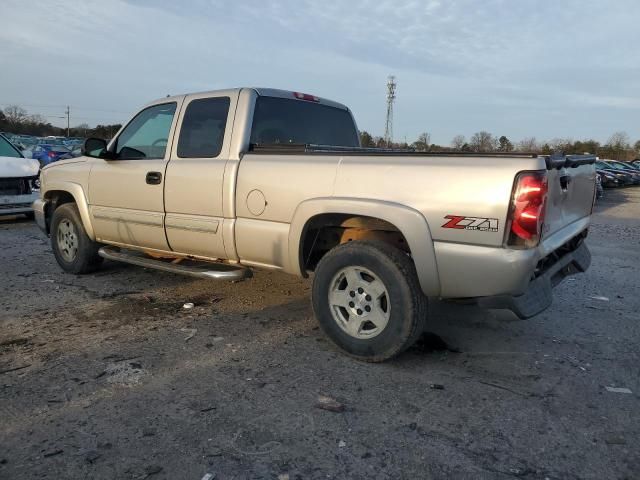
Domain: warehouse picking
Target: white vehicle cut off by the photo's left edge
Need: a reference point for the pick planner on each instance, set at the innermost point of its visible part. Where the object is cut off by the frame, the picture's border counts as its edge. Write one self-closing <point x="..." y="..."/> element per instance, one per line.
<point x="19" y="183"/>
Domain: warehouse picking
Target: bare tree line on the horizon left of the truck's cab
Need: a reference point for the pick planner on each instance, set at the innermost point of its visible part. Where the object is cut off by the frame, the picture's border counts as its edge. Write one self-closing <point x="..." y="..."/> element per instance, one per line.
<point x="15" y="119"/>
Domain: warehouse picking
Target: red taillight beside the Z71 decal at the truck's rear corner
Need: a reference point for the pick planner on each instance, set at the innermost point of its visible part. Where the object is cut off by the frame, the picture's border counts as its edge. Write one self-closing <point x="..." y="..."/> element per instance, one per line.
<point x="527" y="209"/>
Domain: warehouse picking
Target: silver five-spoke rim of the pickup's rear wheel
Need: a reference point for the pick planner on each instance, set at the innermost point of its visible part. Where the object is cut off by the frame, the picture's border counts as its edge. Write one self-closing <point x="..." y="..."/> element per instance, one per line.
<point x="359" y="302"/>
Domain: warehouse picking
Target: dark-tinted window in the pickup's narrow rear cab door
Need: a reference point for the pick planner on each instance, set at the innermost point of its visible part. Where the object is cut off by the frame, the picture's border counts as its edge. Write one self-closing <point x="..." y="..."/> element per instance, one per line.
<point x="203" y="125"/>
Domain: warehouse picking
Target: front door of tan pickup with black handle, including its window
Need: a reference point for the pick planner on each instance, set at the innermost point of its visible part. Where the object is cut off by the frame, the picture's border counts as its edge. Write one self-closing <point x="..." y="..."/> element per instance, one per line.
<point x="126" y="193"/>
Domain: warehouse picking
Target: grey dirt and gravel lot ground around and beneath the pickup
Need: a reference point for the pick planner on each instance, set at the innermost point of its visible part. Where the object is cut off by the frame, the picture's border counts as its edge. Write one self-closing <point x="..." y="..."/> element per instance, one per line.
<point x="107" y="376"/>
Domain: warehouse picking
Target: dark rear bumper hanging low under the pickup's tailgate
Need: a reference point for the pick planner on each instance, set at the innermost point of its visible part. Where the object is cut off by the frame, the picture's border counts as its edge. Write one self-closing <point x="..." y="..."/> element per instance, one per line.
<point x="538" y="295"/>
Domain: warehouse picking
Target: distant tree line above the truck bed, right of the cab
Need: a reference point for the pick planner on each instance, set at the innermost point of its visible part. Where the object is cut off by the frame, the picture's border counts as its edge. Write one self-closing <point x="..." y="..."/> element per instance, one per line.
<point x="617" y="147"/>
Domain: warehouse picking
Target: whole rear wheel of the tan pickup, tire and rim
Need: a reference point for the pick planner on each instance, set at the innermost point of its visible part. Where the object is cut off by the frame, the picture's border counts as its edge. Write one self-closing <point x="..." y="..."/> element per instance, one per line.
<point x="368" y="300"/>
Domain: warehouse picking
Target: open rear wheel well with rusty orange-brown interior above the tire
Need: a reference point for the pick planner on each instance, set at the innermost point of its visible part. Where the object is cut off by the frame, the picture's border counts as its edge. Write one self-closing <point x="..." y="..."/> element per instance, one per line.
<point x="325" y="231"/>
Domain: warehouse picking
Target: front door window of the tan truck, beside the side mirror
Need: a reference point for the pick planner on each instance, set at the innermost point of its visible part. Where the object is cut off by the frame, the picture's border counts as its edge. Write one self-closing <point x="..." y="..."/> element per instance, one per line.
<point x="147" y="135"/>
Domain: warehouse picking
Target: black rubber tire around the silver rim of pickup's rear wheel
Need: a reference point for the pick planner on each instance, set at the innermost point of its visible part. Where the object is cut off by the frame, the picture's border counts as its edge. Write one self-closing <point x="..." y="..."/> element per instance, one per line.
<point x="403" y="296"/>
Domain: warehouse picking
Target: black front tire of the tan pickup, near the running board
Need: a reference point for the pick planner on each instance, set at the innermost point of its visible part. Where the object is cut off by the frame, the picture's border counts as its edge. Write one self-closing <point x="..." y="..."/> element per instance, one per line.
<point x="86" y="258"/>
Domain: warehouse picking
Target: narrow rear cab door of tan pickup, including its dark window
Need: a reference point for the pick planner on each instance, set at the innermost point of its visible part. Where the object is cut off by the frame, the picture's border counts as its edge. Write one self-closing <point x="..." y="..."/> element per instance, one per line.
<point x="195" y="175"/>
